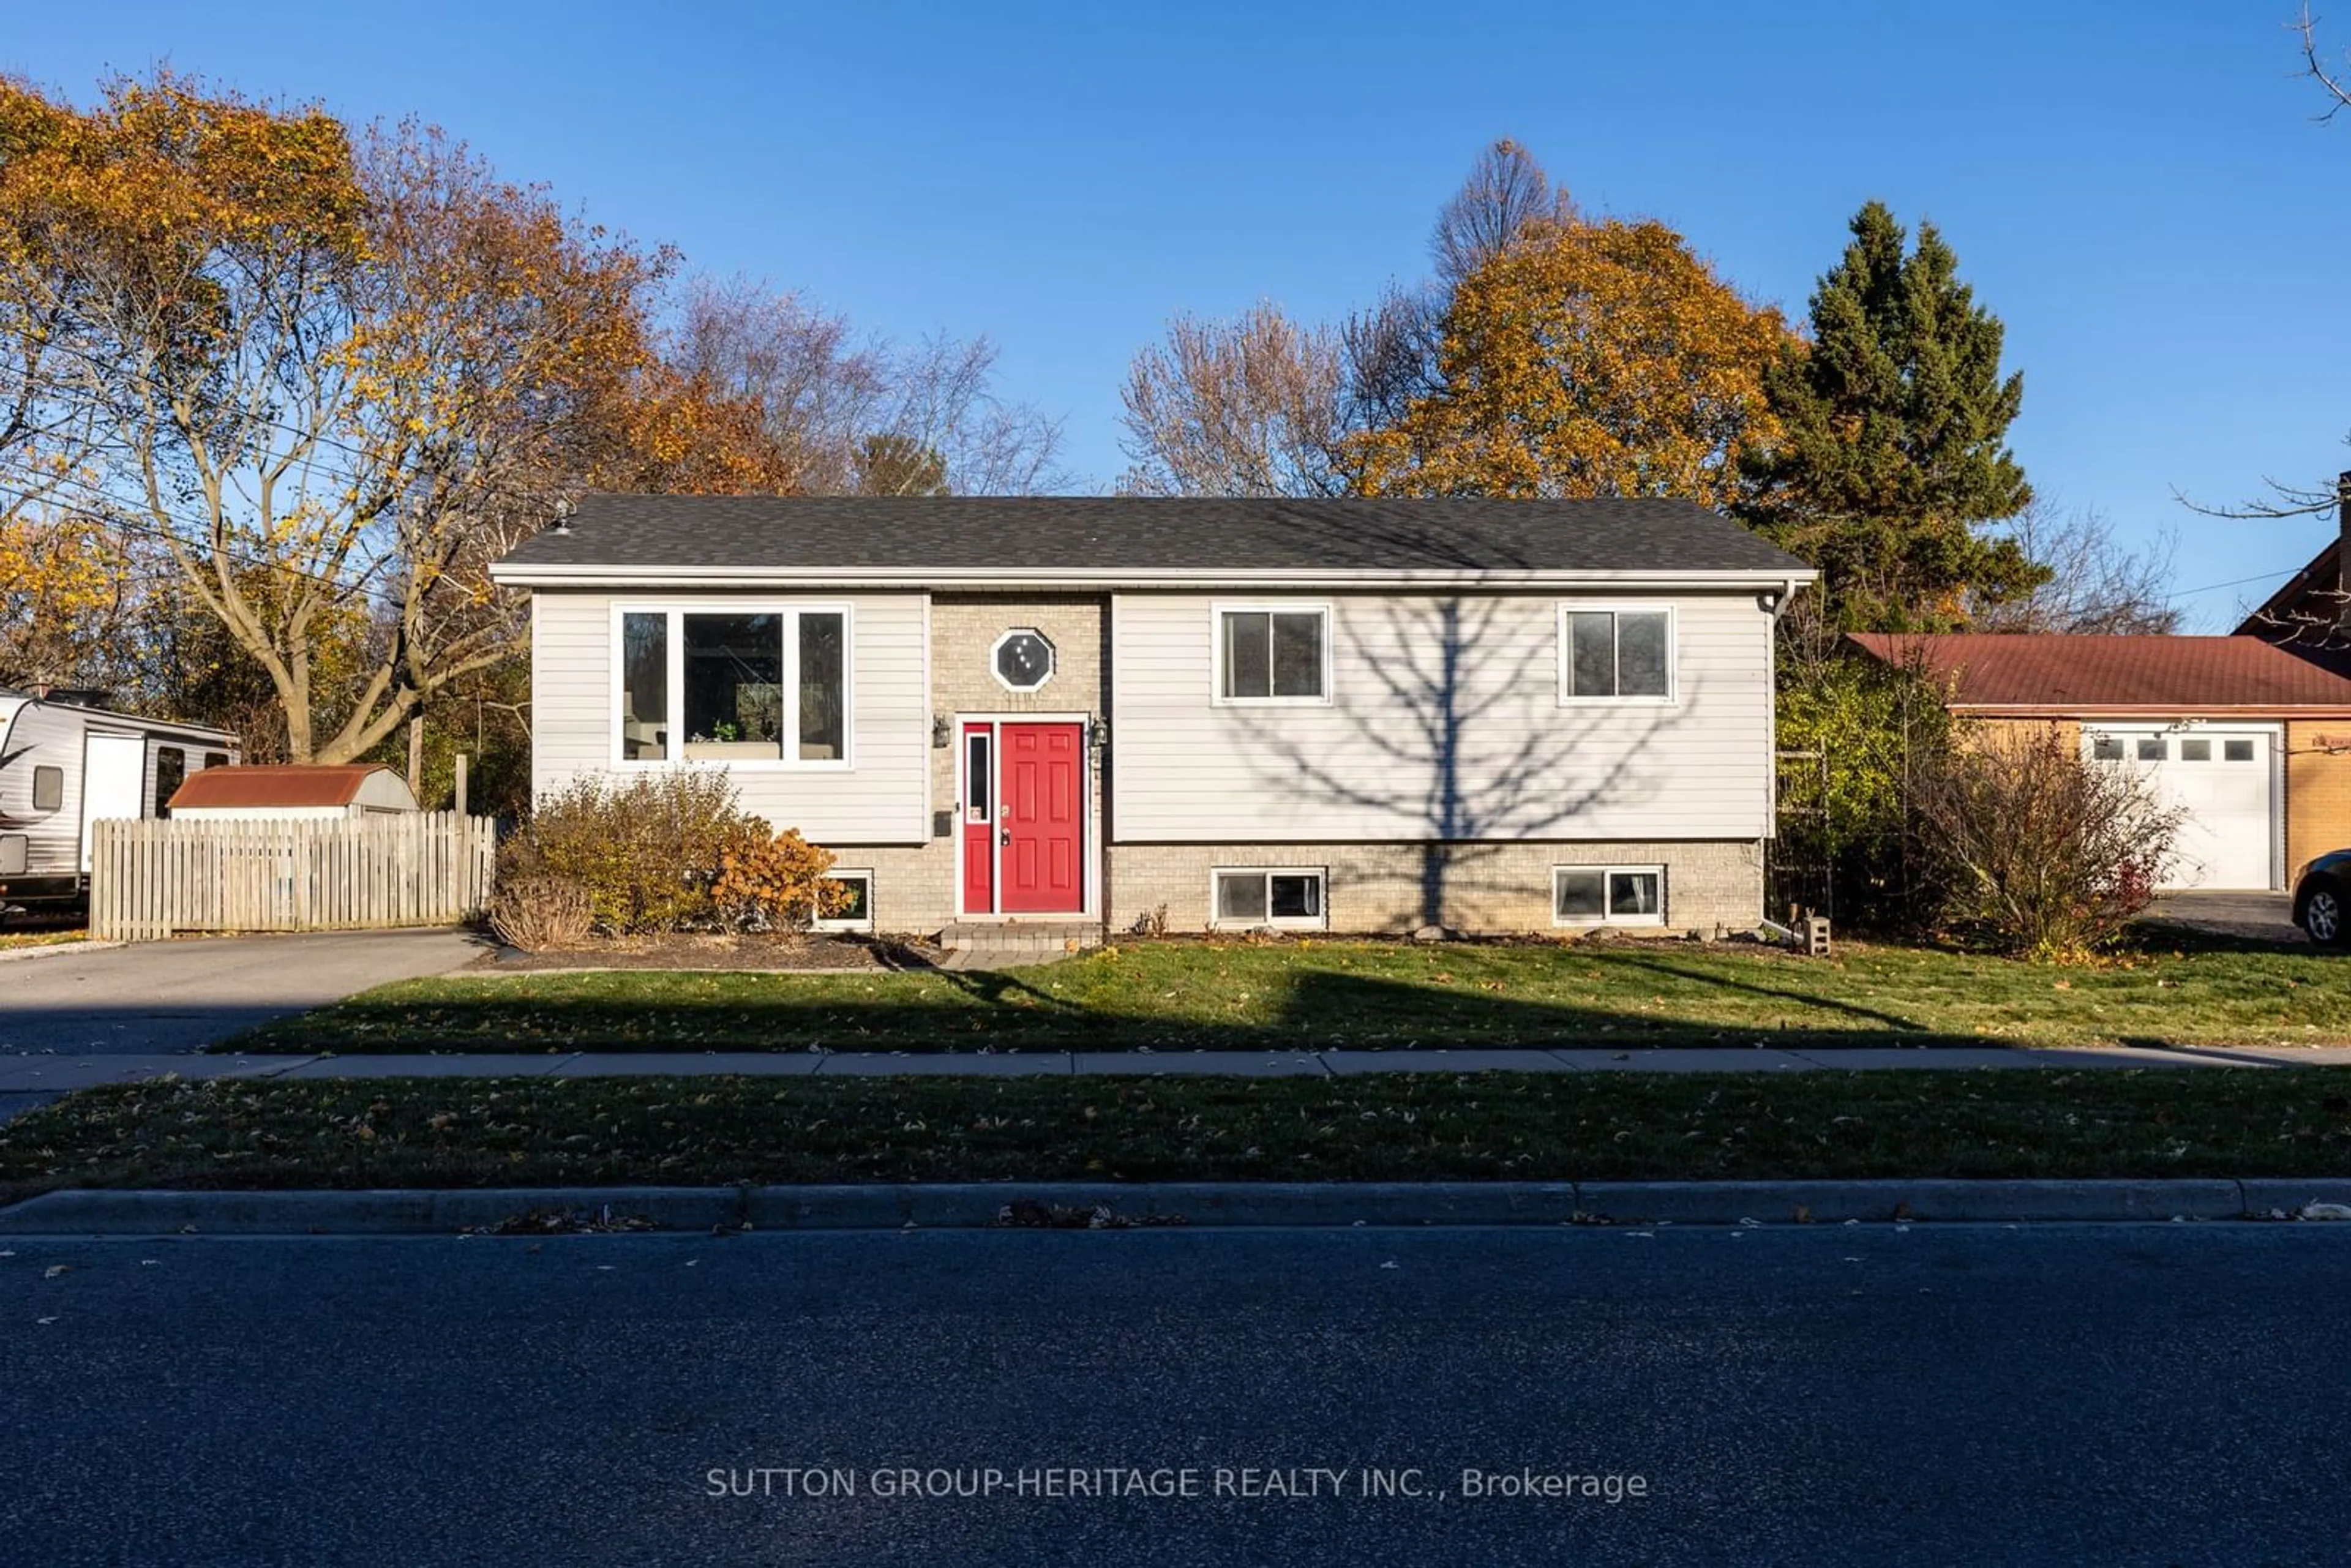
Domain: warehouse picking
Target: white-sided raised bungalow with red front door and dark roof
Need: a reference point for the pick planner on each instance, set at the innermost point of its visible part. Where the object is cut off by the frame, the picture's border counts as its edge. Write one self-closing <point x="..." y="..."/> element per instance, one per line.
<point x="1353" y="716"/>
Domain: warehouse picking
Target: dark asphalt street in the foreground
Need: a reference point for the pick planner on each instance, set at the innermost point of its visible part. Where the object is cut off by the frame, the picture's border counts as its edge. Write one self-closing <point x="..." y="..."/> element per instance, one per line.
<point x="1783" y="1395"/>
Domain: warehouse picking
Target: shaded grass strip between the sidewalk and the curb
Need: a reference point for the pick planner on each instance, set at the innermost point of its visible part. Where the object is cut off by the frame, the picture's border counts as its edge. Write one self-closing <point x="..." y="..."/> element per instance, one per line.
<point x="1386" y="1127"/>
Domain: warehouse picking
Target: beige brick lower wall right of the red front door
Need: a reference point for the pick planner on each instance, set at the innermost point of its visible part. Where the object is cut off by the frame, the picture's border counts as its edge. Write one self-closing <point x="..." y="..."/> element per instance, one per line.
<point x="1471" y="887"/>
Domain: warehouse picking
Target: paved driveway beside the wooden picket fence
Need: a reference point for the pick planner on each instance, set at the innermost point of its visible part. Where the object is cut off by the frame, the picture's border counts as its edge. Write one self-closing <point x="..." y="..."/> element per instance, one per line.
<point x="156" y="998"/>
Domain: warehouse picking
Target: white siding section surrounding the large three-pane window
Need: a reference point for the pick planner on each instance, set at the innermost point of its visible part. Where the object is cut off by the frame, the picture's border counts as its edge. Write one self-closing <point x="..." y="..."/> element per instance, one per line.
<point x="883" y="796"/>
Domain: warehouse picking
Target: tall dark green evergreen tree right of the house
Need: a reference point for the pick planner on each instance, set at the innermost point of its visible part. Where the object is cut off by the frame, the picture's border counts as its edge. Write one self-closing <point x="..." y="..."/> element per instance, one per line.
<point x="1894" y="441"/>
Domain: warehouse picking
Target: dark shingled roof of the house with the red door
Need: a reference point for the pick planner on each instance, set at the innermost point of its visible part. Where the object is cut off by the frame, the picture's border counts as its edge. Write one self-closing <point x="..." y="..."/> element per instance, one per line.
<point x="1146" y="535"/>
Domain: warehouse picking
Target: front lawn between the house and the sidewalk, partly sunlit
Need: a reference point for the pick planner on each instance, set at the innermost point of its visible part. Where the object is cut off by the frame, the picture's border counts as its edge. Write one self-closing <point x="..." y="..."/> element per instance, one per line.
<point x="1369" y="996"/>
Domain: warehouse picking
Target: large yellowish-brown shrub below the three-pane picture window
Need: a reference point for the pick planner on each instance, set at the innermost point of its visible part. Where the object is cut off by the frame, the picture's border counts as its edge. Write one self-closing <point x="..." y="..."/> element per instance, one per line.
<point x="645" y="852"/>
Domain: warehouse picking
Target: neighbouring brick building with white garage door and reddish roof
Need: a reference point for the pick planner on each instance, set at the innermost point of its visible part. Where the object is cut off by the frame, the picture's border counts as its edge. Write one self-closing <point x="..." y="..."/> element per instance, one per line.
<point x="2251" y="742"/>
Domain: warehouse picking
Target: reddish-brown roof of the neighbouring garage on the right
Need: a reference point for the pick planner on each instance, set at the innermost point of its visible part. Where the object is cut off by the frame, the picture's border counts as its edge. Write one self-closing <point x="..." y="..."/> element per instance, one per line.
<point x="2058" y="674"/>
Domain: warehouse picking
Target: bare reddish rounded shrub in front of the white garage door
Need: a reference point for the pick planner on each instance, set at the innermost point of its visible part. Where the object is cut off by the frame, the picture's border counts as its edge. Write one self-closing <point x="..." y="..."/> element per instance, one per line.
<point x="2047" y="855"/>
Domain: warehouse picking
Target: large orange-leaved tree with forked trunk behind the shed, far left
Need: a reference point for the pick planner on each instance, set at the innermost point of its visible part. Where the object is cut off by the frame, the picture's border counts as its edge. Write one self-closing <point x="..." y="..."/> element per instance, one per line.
<point x="351" y="373"/>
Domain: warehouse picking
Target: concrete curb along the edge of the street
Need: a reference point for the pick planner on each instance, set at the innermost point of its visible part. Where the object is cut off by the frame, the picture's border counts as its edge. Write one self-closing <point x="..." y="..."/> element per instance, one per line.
<point x="1195" y="1205"/>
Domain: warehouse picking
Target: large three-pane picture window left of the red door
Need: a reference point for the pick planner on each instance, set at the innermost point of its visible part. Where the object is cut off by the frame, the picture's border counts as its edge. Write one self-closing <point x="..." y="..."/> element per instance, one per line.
<point x="735" y="685"/>
